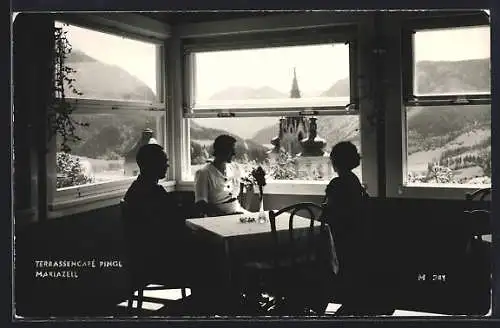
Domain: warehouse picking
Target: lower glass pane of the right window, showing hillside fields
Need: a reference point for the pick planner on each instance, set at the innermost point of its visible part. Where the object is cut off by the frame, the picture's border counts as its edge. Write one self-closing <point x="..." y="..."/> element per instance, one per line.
<point x="449" y="144"/>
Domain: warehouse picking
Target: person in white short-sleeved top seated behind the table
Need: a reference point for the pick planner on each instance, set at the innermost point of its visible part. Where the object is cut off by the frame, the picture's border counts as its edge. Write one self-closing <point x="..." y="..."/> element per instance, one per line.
<point x="217" y="184"/>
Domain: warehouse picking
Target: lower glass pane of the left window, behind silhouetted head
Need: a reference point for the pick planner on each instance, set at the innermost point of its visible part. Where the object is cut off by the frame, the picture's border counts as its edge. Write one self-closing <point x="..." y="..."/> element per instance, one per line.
<point x="107" y="148"/>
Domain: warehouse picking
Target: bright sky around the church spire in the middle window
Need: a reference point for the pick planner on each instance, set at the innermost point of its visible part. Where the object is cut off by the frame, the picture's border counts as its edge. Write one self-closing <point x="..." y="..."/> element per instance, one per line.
<point x="317" y="68"/>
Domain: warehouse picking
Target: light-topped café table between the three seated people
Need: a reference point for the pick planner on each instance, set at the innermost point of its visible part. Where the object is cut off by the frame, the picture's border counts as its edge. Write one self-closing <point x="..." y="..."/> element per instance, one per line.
<point x="237" y="237"/>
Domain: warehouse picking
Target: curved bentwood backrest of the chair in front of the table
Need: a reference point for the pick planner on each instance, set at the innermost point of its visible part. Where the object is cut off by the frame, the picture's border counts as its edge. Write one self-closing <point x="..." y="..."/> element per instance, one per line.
<point x="292" y="249"/>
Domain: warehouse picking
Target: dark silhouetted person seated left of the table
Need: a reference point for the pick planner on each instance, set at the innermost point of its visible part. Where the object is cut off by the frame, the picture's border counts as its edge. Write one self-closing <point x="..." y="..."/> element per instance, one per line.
<point x="156" y="224"/>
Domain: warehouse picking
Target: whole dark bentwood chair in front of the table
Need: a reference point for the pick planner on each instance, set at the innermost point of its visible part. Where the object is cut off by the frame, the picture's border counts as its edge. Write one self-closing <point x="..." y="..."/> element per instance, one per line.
<point x="306" y="264"/>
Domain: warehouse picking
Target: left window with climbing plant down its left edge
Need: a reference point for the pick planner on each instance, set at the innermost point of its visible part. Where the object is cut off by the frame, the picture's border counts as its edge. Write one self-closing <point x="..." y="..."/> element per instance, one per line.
<point x="119" y="101"/>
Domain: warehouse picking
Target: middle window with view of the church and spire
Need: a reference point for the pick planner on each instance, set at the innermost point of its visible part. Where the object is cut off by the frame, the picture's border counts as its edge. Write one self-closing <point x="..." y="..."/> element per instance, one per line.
<point x="258" y="94"/>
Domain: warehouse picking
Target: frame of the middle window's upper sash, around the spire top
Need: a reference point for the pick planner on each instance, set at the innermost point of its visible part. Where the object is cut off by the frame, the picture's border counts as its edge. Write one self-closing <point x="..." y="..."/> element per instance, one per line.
<point x="308" y="36"/>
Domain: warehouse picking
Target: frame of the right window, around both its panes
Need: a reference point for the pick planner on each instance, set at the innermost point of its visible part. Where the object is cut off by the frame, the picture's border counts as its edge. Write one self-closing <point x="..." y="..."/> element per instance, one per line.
<point x="397" y="185"/>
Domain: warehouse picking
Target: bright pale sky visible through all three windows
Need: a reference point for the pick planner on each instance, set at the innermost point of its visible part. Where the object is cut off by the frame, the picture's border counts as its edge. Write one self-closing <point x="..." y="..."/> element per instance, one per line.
<point x="317" y="67"/>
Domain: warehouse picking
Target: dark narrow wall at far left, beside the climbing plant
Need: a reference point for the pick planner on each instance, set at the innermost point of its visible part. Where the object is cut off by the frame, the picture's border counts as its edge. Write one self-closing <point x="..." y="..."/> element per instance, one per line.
<point x="32" y="93"/>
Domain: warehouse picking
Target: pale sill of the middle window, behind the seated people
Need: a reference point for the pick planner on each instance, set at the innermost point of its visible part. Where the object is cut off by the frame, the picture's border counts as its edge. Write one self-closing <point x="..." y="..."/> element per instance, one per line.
<point x="284" y="187"/>
